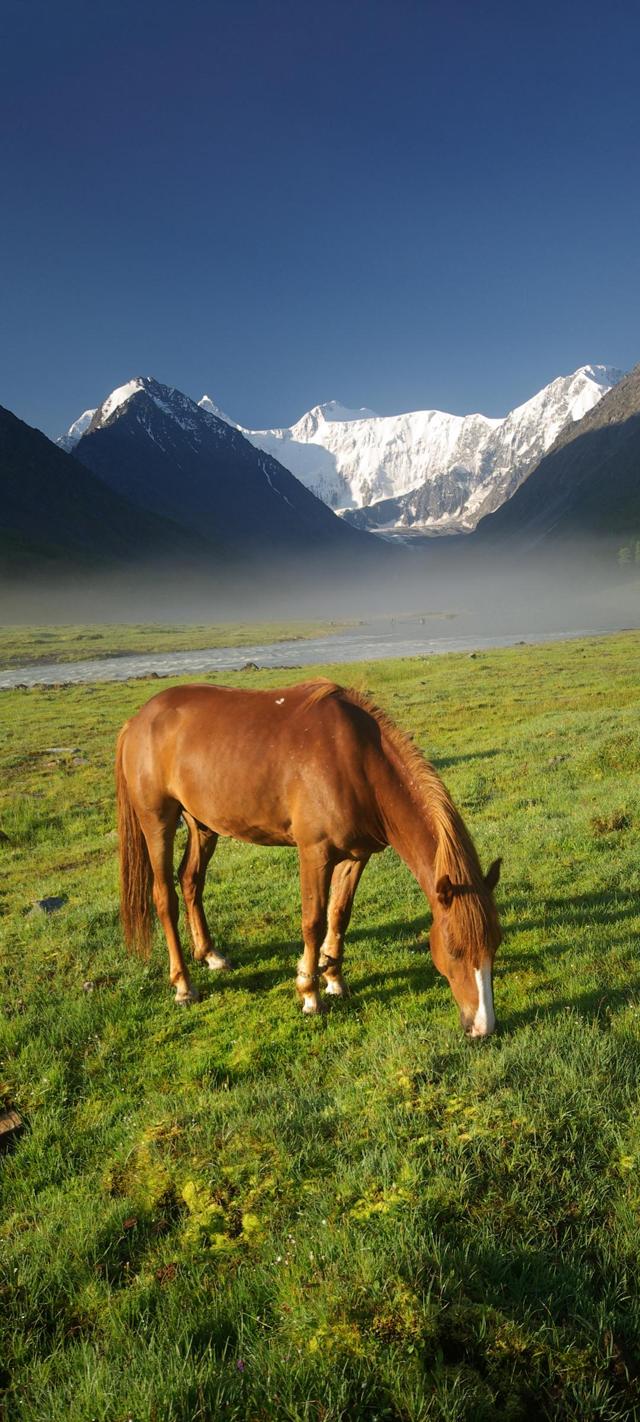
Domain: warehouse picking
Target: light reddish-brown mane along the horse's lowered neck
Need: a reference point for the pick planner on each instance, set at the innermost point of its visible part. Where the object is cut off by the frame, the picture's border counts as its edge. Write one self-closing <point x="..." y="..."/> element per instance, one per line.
<point x="456" y="857"/>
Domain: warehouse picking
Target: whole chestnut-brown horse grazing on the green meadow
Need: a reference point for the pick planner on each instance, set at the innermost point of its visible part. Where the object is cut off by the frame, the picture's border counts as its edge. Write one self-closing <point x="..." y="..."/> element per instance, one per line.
<point x="311" y="766"/>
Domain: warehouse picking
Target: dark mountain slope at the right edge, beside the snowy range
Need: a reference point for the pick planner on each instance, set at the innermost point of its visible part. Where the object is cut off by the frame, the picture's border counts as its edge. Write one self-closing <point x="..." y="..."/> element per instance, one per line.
<point x="587" y="487"/>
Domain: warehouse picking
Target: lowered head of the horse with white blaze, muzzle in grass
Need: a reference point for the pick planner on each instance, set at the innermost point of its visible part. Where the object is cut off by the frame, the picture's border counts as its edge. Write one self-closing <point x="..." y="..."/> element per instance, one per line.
<point x="464" y="939"/>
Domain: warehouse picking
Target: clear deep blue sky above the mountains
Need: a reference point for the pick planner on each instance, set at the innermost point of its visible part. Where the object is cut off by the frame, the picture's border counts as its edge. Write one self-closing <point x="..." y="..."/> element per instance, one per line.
<point x="398" y="205"/>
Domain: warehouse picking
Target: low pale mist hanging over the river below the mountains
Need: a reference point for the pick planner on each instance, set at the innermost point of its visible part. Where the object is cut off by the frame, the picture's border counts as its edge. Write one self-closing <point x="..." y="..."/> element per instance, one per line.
<point x="578" y="588"/>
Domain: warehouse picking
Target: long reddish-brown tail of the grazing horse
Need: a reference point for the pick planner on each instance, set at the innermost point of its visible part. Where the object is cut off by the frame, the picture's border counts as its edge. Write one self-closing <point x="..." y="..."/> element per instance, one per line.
<point x="136" y="877"/>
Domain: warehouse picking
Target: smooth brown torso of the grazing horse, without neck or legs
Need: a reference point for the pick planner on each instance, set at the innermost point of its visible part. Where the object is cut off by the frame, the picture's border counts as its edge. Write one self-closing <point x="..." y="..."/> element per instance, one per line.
<point x="277" y="766"/>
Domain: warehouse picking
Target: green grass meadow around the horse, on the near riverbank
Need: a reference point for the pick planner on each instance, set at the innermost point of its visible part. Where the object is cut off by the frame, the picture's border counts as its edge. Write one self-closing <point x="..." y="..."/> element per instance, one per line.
<point x="237" y="1212"/>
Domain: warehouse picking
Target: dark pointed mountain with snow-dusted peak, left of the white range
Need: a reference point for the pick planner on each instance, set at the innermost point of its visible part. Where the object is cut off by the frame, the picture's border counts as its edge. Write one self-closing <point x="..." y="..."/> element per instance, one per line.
<point x="159" y="449"/>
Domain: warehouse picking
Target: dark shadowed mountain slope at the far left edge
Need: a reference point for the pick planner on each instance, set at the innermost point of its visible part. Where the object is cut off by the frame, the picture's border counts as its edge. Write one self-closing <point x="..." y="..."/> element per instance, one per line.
<point x="58" y="514"/>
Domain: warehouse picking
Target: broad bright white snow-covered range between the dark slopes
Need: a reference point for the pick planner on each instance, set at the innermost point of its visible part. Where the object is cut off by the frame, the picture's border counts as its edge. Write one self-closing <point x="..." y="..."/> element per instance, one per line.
<point x="437" y="471"/>
